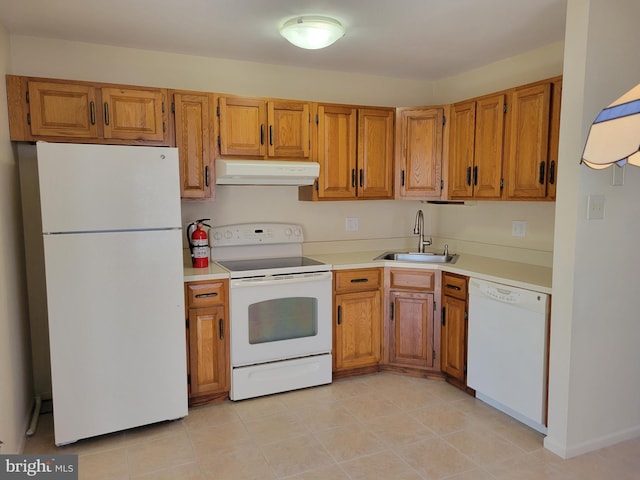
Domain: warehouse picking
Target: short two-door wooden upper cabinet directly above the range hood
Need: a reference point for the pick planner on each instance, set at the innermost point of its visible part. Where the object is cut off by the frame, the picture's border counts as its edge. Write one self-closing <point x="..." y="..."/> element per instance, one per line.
<point x="259" y="128"/>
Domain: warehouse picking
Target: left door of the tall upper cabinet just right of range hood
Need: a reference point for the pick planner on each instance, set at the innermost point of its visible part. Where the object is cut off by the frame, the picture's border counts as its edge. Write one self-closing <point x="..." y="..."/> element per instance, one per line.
<point x="337" y="152"/>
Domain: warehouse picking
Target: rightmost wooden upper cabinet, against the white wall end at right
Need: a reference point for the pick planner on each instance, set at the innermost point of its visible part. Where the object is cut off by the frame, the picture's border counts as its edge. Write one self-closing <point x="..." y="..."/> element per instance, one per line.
<point x="532" y="159"/>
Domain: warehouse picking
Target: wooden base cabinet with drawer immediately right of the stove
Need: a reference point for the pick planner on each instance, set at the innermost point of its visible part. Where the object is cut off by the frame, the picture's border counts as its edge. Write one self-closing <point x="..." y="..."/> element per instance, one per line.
<point x="357" y="321"/>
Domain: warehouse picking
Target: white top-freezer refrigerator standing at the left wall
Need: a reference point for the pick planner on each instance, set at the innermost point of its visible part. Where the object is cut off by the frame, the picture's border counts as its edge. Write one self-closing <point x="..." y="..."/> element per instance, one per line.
<point x="105" y="275"/>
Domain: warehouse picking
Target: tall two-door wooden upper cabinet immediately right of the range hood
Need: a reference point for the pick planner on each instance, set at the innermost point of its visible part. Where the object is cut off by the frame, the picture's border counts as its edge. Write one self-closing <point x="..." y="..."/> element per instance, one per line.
<point x="355" y="150"/>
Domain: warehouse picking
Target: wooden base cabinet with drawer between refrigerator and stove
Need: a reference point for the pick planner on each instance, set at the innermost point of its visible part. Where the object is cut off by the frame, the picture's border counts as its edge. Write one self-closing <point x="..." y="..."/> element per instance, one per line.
<point x="207" y="337"/>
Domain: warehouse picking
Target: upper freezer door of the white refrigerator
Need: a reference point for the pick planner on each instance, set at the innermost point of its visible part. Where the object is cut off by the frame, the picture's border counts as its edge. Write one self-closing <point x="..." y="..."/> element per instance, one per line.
<point x="107" y="187"/>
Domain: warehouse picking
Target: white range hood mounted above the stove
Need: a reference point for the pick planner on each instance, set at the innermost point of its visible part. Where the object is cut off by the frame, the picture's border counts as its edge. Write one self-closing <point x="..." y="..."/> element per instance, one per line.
<point x="265" y="172"/>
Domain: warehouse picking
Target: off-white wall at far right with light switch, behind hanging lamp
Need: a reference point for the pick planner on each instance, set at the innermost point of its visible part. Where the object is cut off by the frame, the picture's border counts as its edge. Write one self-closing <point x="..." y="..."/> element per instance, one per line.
<point x="594" y="386"/>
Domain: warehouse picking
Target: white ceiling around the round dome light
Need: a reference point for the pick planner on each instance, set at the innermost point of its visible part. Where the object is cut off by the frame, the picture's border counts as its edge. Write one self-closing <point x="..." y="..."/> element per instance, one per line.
<point x="420" y="39"/>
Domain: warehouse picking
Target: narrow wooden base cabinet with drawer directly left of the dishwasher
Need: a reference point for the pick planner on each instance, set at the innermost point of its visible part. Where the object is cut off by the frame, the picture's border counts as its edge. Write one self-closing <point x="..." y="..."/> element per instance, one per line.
<point x="454" y="328"/>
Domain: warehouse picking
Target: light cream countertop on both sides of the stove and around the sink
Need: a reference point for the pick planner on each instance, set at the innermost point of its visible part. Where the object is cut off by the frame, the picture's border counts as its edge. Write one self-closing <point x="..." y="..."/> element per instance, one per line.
<point x="516" y="274"/>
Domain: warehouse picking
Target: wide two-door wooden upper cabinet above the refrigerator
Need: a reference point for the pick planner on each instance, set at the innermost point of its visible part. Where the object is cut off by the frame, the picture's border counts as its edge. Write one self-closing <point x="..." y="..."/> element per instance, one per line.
<point x="62" y="110"/>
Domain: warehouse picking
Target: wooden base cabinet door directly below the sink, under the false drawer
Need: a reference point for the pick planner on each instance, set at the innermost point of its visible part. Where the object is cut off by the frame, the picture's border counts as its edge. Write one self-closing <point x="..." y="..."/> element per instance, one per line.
<point x="411" y="330"/>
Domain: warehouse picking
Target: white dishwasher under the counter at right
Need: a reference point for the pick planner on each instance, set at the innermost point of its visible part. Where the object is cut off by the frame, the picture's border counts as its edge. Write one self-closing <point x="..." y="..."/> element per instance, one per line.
<point x="507" y="350"/>
